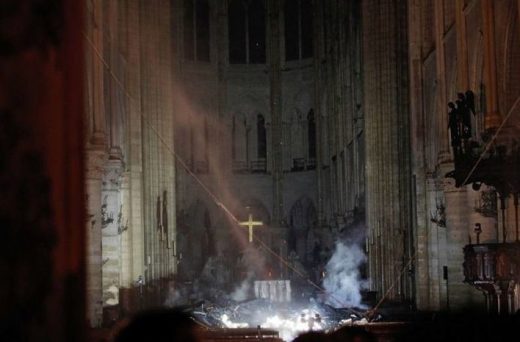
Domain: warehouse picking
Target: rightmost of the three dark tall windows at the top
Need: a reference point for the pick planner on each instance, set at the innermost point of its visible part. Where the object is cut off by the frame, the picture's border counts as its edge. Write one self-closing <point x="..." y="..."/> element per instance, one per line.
<point x="298" y="29"/>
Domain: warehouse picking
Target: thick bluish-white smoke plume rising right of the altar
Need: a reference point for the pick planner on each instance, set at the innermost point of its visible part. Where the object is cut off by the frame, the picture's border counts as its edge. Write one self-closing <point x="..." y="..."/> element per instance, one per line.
<point x="342" y="281"/>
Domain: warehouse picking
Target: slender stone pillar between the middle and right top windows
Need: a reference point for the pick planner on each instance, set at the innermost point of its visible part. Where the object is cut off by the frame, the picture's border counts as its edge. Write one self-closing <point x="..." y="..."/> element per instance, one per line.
<point x="276" y="109"/>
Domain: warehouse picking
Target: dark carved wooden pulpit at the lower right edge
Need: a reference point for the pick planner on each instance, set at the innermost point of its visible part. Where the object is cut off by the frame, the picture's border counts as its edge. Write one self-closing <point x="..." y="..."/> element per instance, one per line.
<point x="494" y="268"/>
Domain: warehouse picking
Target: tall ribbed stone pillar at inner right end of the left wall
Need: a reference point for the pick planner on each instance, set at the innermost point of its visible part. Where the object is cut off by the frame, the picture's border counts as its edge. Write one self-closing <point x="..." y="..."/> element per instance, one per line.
<point x="157" y="133"/>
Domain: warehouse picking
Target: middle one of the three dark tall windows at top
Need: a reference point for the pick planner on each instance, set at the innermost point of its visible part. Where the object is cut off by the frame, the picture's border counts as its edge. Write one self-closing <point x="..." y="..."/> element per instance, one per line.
<point x="246" y="28"/>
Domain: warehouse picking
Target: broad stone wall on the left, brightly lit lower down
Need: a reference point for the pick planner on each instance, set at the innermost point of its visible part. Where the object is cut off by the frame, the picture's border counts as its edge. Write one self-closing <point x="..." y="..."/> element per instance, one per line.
<point x="129" y="147"/>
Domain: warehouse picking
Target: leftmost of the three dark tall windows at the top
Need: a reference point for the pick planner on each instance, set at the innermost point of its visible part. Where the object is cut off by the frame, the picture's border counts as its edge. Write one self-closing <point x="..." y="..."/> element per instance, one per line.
<point x="196" y="30"/>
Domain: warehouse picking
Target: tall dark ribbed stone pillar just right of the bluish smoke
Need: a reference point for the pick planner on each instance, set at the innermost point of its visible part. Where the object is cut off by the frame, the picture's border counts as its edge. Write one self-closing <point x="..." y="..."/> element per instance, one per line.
<point x="388" y="173"/>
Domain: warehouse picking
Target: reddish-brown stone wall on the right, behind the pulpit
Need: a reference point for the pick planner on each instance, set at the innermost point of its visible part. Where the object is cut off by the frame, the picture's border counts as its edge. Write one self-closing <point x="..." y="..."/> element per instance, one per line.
<point x="454" y="47"/>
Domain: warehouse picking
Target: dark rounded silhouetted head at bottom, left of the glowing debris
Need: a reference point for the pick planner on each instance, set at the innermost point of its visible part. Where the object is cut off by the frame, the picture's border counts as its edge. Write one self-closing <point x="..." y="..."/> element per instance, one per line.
<point x="160" y="325"/>
